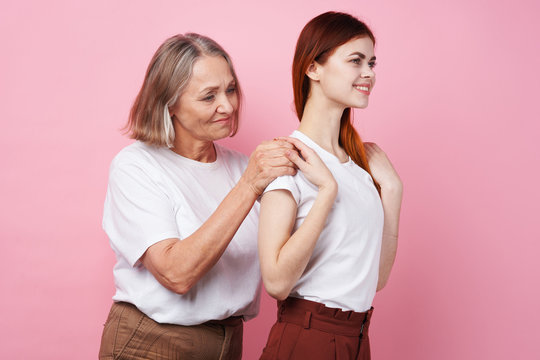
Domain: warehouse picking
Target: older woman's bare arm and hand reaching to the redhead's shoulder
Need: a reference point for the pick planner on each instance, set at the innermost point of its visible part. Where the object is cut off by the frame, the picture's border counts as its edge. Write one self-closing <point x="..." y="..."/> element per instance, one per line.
<point x="178" y="265"/>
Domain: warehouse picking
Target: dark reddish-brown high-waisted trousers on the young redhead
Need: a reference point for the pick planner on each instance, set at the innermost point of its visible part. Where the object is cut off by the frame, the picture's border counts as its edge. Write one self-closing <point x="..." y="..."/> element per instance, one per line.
<point x="310" y="330"/>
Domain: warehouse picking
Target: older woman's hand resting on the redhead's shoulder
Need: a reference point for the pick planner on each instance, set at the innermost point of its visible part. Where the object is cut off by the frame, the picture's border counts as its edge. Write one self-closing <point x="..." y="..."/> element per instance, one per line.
<point x="268" y="162"/>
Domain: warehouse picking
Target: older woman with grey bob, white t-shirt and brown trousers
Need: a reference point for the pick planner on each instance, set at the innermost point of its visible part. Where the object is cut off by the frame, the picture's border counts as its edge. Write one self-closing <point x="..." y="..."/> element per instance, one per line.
<point x="179" y="212"/>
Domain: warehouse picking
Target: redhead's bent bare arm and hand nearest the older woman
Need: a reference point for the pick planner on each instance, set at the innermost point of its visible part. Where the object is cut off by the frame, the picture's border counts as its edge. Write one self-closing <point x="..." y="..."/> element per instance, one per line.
<point x="283" y="256"/>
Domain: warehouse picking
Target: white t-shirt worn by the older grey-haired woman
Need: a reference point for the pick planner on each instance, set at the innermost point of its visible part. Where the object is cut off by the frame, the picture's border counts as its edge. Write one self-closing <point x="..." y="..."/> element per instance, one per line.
<point x="155" y="194"/>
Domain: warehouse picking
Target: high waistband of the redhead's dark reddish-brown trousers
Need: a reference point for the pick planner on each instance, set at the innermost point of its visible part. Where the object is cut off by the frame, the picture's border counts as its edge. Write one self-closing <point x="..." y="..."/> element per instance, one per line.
<point x="311" y="314"/>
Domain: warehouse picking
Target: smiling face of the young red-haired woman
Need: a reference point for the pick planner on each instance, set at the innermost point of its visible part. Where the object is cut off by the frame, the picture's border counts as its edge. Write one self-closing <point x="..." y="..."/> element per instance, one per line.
<point x="347" y="77"/>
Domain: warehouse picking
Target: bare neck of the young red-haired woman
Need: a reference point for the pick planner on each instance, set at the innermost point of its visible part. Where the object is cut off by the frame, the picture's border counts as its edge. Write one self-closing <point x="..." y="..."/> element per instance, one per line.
<point x="321" y="122"/>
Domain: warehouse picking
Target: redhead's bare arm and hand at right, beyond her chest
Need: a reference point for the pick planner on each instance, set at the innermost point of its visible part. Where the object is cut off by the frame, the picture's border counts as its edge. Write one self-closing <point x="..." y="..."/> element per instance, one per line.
<point x="391" y="195"/>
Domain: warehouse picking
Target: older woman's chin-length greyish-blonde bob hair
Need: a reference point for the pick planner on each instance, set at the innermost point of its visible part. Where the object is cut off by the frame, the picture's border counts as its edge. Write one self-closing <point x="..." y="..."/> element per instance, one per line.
<point x="166" y="78"/>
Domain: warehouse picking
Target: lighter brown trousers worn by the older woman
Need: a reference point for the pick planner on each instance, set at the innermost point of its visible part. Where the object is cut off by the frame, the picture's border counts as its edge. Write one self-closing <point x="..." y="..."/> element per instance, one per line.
<point x="130" y="334"/>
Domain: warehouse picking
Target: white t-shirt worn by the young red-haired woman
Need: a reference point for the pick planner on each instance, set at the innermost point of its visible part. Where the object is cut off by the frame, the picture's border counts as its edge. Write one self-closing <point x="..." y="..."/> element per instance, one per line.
<point x="344" y="267"/>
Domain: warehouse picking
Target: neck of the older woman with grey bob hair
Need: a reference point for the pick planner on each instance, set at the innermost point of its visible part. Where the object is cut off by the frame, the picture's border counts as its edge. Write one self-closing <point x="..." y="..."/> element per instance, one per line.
<point x="192" y="148"/>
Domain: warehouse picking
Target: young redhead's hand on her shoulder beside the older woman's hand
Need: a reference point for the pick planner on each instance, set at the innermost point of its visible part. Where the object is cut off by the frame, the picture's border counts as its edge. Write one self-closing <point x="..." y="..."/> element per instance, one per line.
<point x="311" y="165"/>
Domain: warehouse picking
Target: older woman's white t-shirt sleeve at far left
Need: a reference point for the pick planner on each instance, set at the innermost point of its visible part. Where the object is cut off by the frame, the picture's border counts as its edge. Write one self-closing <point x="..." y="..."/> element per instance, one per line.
<point x="137" y="212"/>
